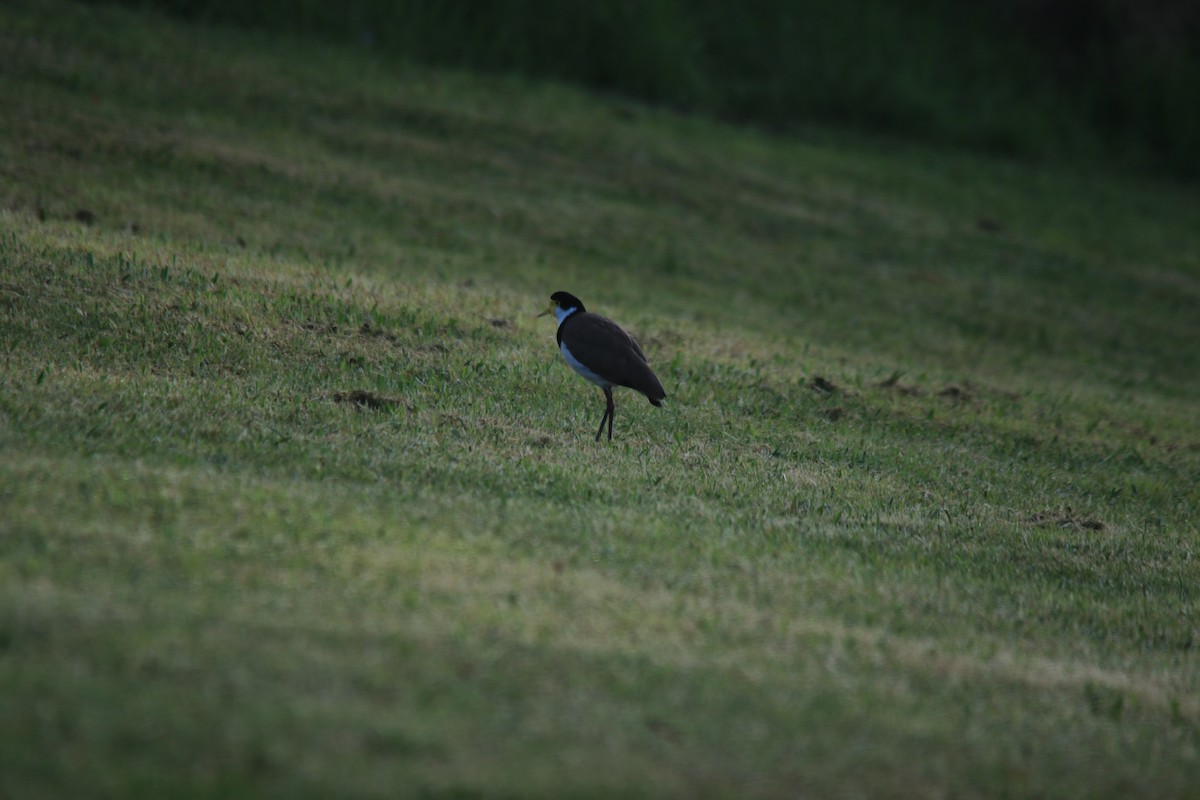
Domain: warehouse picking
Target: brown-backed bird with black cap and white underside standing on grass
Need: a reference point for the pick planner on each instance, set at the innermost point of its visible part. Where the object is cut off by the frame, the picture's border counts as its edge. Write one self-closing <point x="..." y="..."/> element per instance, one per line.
<point x="601" y="351"/>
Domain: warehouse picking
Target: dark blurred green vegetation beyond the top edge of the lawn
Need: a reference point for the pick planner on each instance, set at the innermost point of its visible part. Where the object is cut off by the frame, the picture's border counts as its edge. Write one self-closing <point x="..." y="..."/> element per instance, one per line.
<point x="1033" y="79"/>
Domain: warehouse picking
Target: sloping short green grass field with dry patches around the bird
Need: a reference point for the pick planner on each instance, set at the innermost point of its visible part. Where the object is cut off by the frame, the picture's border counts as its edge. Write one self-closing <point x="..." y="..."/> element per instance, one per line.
<point x="297" y="498"/>
